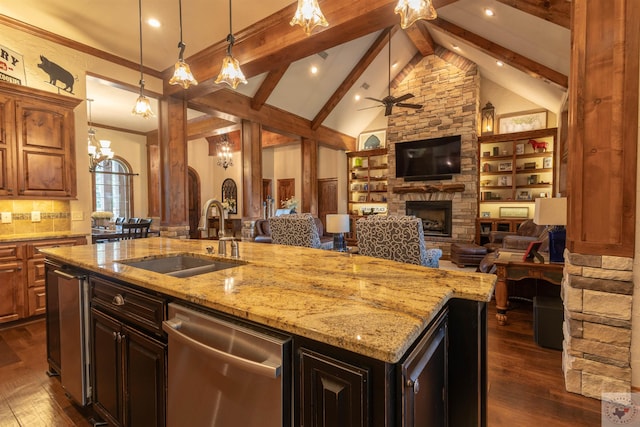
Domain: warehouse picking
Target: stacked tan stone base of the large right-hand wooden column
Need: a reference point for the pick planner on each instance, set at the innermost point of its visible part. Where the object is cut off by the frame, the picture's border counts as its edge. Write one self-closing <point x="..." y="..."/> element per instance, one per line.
<point x="597" y="291"/>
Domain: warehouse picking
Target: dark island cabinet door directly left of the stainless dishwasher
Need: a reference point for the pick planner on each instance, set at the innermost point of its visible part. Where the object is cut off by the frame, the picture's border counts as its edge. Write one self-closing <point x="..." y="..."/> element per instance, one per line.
<point x="145" y="368"/>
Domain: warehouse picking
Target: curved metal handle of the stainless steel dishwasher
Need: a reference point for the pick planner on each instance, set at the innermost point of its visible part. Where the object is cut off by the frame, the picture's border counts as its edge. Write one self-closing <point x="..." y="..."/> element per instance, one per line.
<point x="267" y="368"/>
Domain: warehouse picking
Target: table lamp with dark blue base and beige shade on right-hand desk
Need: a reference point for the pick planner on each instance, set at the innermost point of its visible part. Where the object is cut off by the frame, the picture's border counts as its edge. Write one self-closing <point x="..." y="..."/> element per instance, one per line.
<point x="553" y="212"/>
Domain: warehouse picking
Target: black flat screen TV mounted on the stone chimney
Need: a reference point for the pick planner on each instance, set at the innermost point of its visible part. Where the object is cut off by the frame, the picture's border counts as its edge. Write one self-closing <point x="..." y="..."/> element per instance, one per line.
<point x="428" y="159"/>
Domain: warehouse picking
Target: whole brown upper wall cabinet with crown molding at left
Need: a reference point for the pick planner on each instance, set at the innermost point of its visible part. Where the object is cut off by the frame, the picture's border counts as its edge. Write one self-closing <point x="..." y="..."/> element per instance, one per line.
<point x="37" y="143"/>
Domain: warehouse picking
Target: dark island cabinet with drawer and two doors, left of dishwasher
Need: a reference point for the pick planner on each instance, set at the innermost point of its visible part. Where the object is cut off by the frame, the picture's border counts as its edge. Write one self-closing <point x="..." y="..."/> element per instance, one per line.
<point x="128" y="361"/>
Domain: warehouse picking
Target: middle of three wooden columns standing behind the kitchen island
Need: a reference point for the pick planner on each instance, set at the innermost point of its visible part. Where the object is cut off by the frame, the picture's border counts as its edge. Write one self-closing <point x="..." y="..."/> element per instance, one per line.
<point x="251" y="169"/>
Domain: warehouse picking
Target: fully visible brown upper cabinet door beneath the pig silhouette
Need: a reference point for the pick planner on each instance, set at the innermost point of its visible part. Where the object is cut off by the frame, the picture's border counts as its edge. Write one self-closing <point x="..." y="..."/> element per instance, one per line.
<point x="45" y="164"/>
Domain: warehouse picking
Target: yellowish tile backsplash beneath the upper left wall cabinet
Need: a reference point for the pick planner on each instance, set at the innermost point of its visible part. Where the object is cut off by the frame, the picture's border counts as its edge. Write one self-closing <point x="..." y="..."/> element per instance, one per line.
<point x="55" y="215"/>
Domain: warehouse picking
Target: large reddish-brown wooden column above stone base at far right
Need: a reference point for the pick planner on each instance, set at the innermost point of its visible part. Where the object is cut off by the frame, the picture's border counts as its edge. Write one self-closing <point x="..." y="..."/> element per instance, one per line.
<point x="603" y="127"/>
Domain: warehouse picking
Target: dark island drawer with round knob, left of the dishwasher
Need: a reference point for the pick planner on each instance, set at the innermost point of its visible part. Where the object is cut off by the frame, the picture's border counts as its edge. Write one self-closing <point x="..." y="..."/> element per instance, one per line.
<point x="129" y="305"/>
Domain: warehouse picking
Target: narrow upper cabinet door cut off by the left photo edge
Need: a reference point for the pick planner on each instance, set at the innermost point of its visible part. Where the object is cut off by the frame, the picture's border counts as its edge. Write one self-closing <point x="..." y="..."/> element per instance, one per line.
<point x="7" y="153"/>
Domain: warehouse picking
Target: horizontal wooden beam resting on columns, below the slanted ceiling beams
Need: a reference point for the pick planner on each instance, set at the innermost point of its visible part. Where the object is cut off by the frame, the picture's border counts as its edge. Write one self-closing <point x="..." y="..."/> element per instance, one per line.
<point x="237" y="104"/>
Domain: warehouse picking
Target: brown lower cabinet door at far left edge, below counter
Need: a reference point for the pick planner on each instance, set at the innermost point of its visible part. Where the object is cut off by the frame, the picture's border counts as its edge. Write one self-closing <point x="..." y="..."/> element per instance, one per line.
<point x="11" y="291"/>
